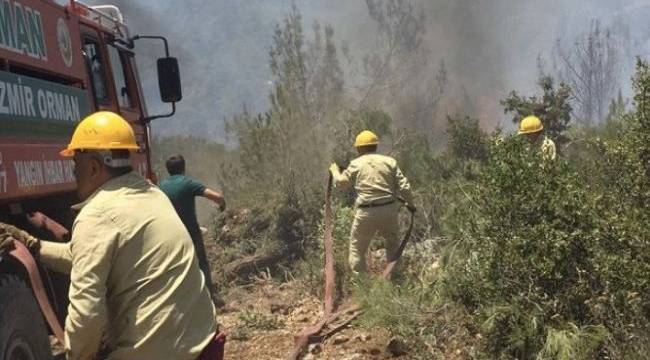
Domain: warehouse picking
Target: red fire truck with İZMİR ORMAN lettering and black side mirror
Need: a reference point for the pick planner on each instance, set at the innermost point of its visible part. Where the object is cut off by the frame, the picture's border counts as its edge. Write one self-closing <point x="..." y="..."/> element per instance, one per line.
<point x="57" y="64"/>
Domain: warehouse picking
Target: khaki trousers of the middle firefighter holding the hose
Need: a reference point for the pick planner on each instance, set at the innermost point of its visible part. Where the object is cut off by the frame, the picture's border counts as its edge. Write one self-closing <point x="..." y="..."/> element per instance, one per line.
<point x="368" y="222"/>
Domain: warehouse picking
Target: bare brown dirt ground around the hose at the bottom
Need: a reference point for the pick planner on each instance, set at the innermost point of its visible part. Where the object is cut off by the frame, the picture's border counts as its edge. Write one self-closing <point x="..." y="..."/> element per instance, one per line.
<point x="261" y="320"/>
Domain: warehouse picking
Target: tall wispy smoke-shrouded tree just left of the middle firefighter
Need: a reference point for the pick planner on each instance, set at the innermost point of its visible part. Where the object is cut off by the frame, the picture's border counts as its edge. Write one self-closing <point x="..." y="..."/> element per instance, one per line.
<point x="285" y="147"/>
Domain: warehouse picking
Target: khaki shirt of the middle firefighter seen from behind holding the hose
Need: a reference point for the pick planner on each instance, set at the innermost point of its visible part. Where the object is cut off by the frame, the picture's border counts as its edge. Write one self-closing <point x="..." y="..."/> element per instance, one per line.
<point x="376" y="178"/>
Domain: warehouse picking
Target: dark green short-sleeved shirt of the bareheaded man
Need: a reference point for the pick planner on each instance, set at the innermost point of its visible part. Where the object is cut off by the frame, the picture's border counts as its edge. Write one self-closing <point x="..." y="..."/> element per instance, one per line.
<point x="181" y="190"/>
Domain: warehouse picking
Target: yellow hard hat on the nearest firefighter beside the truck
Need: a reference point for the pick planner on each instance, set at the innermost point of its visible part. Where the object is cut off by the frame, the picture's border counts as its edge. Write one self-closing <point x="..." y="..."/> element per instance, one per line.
<point x="103" y="130"/>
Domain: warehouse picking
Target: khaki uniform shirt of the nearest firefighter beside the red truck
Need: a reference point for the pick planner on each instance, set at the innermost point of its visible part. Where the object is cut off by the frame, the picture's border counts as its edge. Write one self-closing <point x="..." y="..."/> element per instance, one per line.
<point x="134" y="277"/>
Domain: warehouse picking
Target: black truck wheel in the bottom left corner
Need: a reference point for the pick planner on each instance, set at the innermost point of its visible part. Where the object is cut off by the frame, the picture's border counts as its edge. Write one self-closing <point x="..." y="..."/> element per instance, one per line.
<point x="23" y="335"/>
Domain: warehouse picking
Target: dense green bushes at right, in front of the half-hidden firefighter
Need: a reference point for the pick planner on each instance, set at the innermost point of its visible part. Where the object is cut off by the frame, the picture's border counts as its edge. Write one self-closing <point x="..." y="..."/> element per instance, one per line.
<point x="554" y="257"/>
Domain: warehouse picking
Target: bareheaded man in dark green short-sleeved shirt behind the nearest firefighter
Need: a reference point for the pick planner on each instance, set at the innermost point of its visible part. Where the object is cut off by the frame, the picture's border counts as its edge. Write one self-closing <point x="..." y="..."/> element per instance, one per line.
<point x="181" y="191"/>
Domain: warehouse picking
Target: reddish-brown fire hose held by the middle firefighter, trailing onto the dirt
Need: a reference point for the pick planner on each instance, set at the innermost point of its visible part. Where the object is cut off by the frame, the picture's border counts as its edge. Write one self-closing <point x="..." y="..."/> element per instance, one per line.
<point x="352" y="311"/>
